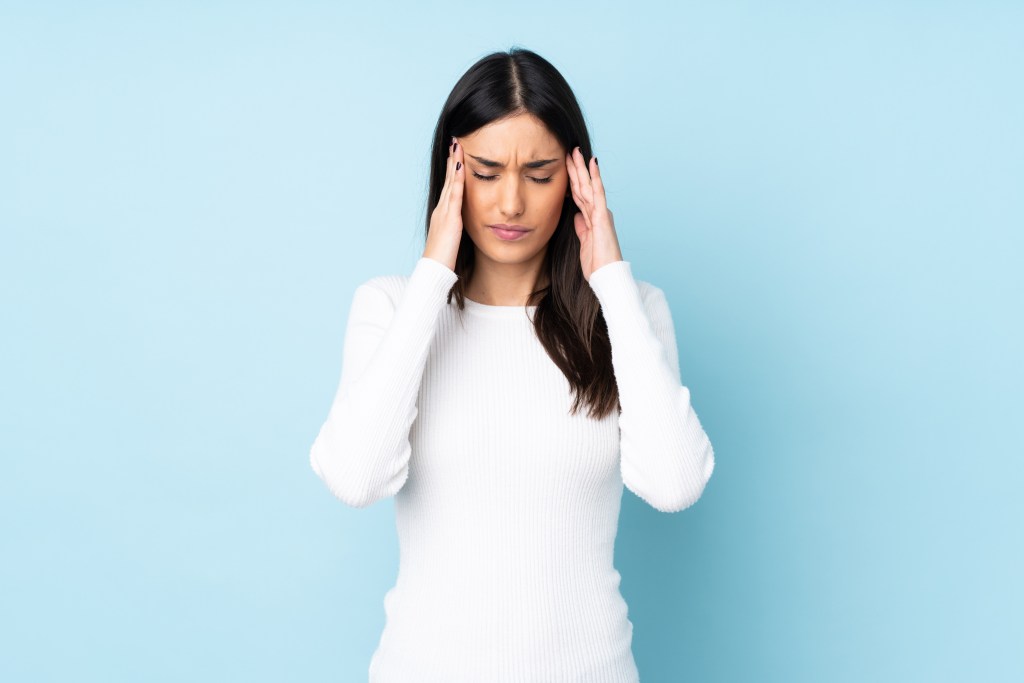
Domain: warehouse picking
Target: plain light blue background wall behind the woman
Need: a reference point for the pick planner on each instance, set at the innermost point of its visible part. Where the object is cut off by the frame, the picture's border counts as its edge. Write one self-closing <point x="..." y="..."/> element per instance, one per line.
<point x="831" y="195"/>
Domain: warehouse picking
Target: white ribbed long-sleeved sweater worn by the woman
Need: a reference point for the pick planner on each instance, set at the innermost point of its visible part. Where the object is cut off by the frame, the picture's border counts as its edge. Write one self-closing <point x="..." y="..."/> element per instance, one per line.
<point x="506" y="506"/>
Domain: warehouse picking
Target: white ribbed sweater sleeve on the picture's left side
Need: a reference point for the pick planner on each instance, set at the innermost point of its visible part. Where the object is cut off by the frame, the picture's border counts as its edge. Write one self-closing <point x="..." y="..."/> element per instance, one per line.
<point x="363" y="449"/>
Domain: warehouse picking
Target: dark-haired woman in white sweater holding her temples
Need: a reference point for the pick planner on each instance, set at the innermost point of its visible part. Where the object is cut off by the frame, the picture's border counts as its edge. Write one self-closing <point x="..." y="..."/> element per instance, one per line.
<point x="461" y="394"/>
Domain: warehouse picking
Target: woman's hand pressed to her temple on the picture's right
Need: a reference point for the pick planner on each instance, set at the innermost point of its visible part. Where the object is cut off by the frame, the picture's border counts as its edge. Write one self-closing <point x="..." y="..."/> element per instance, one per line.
<point x="594" y="226"/>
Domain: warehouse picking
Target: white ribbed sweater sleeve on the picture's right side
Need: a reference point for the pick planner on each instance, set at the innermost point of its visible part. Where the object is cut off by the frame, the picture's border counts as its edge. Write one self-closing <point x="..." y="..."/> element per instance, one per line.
<point x="666" y="457"/>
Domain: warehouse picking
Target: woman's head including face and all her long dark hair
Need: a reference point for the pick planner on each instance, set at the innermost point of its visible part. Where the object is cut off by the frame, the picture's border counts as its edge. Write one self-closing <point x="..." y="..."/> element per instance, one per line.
<point x="517" y="119"/>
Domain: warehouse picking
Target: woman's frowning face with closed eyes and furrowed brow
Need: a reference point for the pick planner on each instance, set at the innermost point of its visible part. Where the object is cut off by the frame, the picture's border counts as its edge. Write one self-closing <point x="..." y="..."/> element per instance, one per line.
<point x="525" y="185"/>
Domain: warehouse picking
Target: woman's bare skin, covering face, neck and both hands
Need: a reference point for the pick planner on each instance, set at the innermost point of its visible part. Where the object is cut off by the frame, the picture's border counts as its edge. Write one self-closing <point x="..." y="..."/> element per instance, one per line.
<point x="507" y="272"/>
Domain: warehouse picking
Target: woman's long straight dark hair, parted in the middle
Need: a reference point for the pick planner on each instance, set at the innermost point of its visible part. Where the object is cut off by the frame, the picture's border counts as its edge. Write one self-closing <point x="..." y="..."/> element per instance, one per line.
<point x="569" y="321"/>
